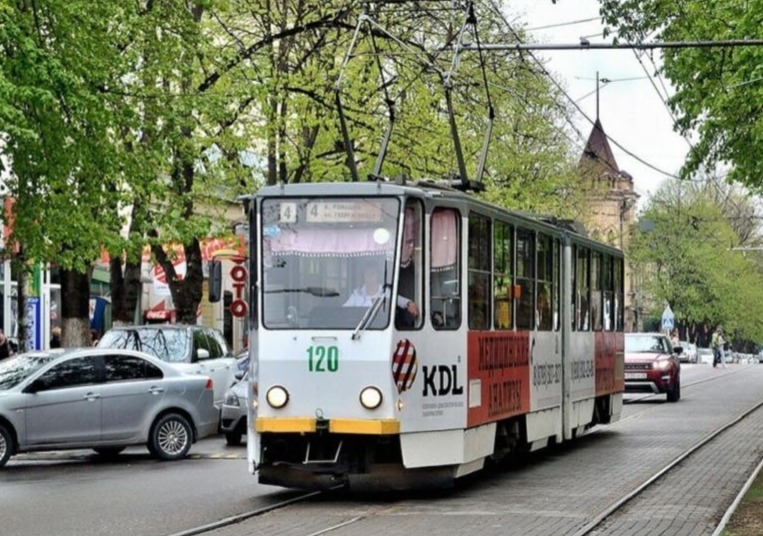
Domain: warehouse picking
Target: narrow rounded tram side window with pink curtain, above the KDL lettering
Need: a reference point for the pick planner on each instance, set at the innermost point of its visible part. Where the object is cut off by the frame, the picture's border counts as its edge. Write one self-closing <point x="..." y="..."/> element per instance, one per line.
<point x="444" y="244"/>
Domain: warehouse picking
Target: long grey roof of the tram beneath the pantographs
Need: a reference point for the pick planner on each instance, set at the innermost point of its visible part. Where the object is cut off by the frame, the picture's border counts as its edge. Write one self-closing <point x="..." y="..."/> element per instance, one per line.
<point x="434" y="190"/>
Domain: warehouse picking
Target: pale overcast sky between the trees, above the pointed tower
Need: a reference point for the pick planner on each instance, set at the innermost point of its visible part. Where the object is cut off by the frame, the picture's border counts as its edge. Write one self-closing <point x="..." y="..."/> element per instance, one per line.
<point x="630" y="109"/>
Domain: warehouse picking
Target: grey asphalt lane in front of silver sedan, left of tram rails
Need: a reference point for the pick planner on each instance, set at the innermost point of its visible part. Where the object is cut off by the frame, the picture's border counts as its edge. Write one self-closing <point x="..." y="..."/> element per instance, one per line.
<point x="75" y="493"/>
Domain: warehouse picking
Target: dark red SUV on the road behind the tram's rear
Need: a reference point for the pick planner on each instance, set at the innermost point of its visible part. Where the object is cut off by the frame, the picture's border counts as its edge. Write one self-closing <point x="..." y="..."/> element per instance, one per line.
<point x="652" y="365"/>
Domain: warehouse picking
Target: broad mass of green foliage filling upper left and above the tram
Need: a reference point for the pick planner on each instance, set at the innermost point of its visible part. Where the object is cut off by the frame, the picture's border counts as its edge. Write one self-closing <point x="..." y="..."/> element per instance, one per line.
<point x="137" y="123"/>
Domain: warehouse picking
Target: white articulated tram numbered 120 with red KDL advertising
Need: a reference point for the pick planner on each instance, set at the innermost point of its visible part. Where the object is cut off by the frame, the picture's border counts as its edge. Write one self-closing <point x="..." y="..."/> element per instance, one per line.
<point x="517" y="341"/>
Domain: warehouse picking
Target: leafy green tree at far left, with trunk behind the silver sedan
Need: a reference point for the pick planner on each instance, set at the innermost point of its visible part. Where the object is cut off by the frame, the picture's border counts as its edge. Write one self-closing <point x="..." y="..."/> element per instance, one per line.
<point x="55" y="58"/>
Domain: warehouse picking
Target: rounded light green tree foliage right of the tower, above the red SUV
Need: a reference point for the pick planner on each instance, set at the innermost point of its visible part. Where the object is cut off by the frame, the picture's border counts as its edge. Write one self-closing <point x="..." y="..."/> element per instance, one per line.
<point x="687" y="260"/>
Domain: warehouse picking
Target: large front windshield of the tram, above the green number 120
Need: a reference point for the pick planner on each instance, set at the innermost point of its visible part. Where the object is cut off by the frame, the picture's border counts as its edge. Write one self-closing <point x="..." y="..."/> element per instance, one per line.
<point x="328" y="263"/>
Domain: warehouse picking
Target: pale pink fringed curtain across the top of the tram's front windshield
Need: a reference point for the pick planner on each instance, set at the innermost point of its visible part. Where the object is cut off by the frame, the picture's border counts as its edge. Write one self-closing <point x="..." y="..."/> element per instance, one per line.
<point x="328" y="243"/>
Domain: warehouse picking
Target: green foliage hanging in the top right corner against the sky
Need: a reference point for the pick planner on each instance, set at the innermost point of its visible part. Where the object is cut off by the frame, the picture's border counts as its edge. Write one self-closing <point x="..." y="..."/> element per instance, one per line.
<point x="718" y="89"/>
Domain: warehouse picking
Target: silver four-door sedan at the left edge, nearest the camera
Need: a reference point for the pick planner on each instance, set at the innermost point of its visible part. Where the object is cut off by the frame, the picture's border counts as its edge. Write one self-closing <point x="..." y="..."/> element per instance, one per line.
<point x="102" y="399"/>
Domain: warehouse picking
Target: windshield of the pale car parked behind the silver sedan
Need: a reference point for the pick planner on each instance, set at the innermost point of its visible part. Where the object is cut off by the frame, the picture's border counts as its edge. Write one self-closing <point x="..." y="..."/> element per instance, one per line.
<point x="169" y="345"/>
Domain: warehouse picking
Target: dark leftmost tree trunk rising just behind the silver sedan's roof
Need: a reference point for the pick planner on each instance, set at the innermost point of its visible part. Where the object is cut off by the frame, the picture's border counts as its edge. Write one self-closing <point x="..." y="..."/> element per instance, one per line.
<point x="75" y="308"/>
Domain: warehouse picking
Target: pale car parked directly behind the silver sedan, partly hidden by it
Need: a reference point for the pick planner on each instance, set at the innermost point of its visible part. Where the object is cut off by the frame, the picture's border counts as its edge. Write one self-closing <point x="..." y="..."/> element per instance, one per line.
<point x="192" y="348"/>
